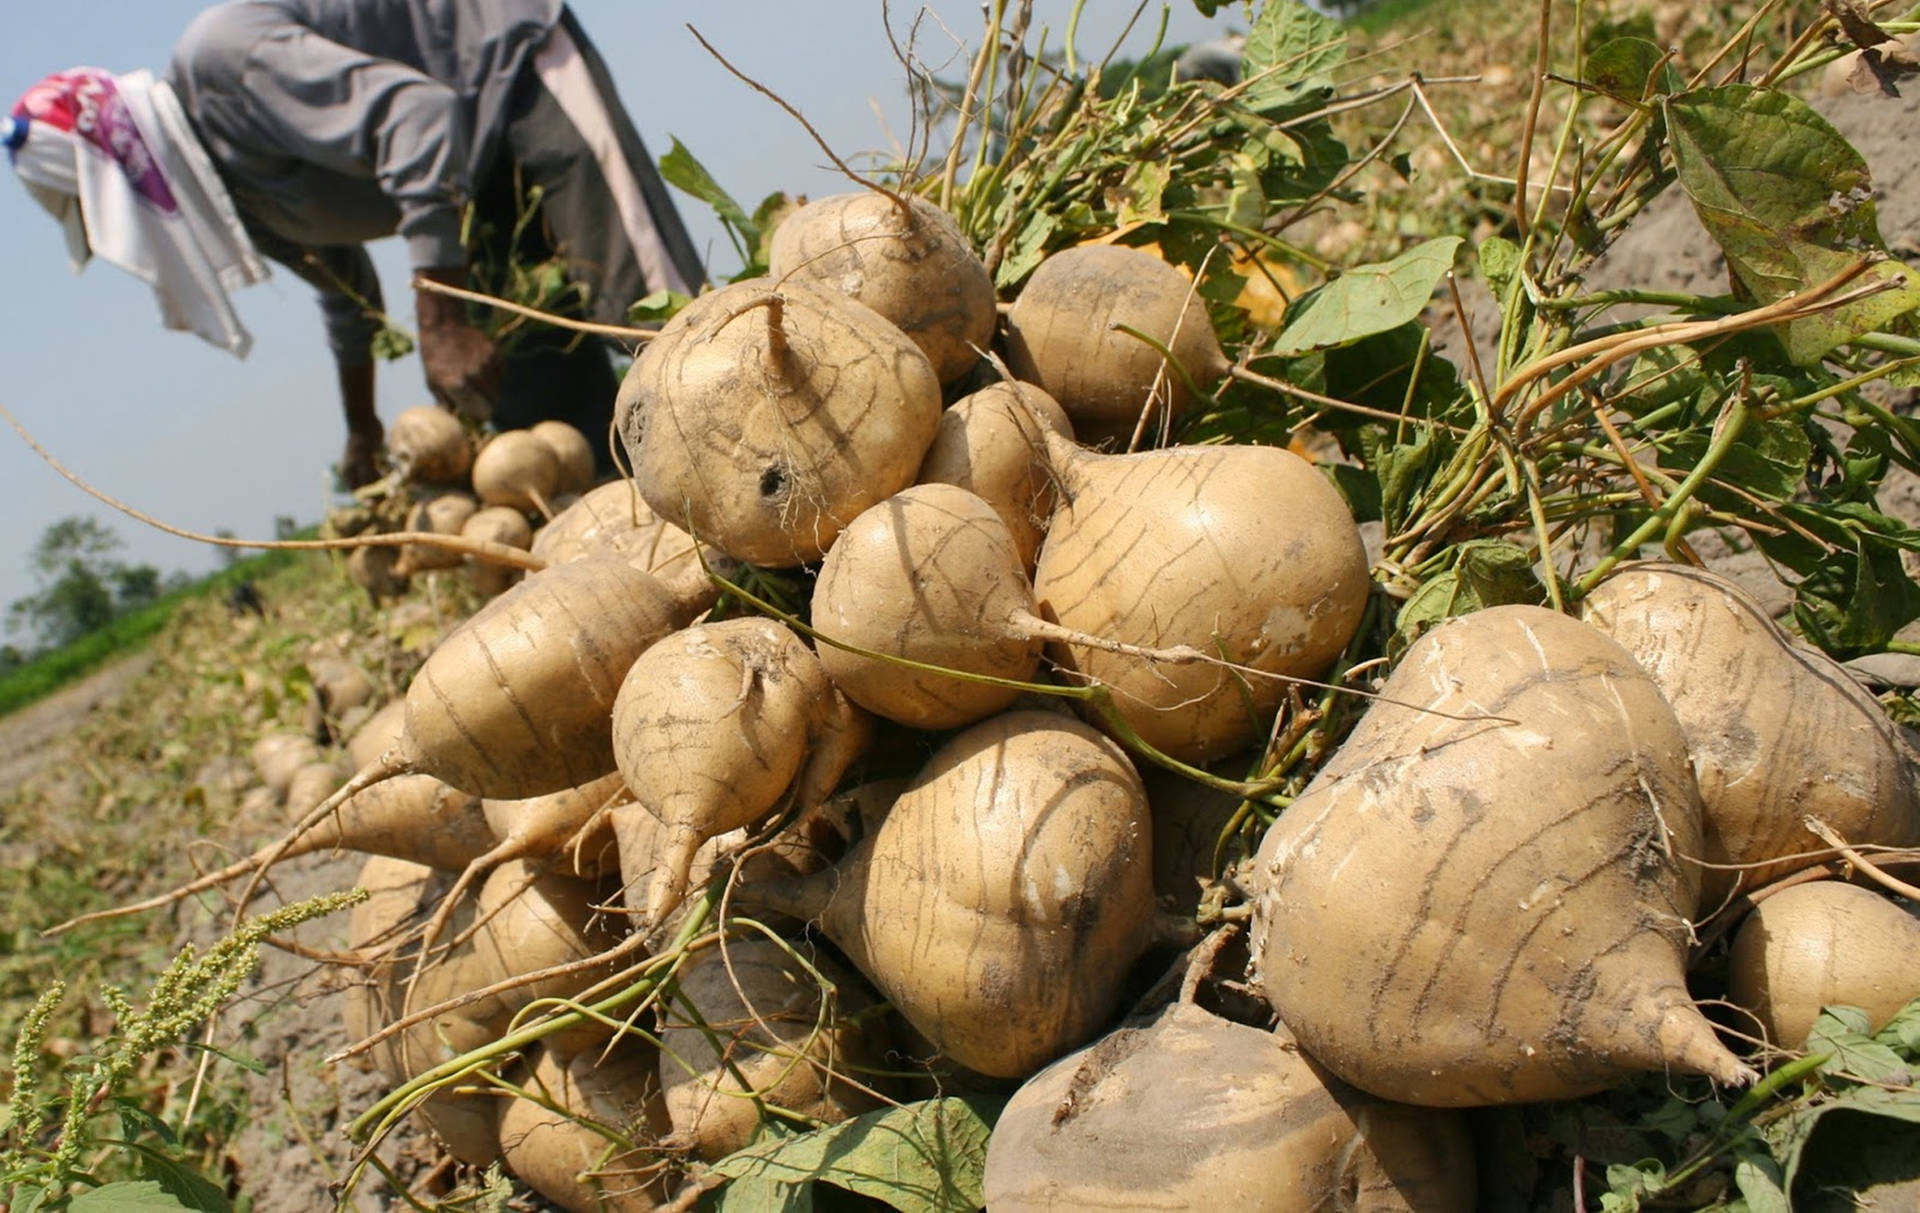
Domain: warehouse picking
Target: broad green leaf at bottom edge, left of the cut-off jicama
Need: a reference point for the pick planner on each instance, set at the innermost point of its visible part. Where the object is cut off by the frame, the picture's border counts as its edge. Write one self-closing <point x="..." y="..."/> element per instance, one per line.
<point x="921" y="1156"/>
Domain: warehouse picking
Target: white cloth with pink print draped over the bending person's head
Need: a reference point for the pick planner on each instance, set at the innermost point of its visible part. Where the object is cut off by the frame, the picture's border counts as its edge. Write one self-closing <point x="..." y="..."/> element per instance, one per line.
<point x="118" y="164"/>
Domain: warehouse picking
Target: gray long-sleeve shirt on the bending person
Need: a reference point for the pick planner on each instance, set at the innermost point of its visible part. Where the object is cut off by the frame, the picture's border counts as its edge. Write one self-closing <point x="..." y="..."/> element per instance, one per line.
<point x="341" y="122"/>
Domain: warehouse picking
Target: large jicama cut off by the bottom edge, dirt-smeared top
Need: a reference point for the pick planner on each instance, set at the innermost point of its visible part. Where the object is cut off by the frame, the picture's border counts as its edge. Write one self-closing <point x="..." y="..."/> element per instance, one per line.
<point x="1207" y="1114"/>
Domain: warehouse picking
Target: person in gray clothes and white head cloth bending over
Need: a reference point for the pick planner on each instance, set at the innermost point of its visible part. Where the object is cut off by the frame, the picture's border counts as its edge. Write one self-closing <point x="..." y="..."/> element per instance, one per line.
<point x="302" y="130"/>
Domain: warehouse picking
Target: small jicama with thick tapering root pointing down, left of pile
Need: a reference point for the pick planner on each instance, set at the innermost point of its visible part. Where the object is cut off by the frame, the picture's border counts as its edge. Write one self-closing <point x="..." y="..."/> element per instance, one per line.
<point x="715" y="728"/>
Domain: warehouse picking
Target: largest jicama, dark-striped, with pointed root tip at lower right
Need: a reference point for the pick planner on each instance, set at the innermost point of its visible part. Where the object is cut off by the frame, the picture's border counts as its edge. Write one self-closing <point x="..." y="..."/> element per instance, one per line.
<point x="1493" y="905"/>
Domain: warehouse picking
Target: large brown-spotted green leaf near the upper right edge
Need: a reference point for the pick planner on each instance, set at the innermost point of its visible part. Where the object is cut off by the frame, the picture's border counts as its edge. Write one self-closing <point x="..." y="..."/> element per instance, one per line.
<point x="1790" y="202"/>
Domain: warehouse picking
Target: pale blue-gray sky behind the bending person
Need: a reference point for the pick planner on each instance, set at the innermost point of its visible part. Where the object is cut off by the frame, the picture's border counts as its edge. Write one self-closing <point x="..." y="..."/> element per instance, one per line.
<point x="199" y="439"/>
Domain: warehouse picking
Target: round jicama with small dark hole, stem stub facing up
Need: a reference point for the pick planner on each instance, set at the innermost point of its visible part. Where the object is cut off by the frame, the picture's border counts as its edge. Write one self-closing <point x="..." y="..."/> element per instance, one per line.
<point x="767" y="417"/>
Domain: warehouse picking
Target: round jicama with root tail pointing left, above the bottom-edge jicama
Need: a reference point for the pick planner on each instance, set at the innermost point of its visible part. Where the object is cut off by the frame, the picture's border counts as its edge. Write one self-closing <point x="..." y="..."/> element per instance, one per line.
<point x="1003" y="897"/>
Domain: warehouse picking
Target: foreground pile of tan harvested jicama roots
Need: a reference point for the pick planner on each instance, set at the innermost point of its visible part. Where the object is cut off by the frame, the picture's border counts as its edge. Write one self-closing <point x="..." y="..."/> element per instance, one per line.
<point x="660" y="867"/>
